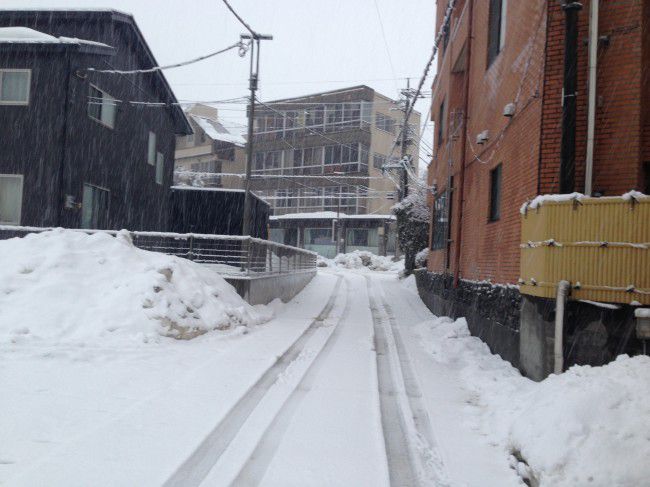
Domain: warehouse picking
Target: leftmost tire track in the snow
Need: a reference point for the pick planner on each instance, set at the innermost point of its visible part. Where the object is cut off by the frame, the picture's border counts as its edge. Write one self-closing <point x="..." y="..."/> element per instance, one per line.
<point x="195" y="468"/>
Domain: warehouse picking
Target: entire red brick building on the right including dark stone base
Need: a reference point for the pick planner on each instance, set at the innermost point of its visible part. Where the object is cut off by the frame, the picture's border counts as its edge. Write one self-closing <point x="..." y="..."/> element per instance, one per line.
<point x="502" y="137"/>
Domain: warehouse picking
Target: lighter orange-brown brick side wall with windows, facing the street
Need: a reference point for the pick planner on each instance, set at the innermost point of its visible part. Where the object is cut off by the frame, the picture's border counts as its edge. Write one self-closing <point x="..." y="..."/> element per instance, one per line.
<point x="490" y="250"/>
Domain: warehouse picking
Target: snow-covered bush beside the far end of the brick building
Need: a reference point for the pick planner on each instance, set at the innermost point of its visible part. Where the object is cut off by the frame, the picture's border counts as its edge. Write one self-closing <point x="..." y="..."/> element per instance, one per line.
<point x="413" y="217"/>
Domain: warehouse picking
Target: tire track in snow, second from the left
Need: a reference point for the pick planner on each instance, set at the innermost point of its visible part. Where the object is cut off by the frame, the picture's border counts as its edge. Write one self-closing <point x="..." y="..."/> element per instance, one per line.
<point x="254" y="469"/>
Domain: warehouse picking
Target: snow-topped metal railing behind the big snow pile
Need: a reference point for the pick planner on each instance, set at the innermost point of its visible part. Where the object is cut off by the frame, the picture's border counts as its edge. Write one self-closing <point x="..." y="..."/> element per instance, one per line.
<point x="229" y="255"/>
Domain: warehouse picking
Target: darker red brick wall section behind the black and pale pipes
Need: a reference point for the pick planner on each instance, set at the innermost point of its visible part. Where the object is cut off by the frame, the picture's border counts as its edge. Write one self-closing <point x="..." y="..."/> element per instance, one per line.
<point x="618" y="118"/>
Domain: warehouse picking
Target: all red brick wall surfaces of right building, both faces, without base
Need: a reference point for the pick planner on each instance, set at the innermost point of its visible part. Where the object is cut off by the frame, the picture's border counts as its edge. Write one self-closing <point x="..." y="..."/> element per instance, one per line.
<point x="530" y="69"/>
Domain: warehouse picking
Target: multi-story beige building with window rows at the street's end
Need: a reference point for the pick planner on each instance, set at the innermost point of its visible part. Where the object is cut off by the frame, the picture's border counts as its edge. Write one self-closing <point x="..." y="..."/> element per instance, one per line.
<point x="320" y="159"/>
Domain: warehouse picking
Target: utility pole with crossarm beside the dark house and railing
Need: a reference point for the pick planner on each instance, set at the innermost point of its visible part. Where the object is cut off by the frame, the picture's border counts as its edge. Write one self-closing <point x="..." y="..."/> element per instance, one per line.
<point x="253" y="82"/>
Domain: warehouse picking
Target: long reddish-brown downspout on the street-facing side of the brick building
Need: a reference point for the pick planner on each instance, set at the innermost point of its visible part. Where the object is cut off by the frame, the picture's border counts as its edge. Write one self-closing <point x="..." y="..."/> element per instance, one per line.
<point x="463" y="160"/>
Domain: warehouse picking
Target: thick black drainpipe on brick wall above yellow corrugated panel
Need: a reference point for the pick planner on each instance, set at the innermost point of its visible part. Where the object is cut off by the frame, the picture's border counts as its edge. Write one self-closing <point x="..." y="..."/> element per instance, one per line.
<point x="568" y="152"/>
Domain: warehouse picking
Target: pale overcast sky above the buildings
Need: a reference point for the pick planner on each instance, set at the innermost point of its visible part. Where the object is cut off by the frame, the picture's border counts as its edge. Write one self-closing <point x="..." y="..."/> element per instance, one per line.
<point x="318" y="44"/>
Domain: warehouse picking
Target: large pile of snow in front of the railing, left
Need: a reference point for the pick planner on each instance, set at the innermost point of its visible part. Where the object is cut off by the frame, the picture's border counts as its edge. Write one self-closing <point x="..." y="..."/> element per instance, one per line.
<point x="66" y="286"/>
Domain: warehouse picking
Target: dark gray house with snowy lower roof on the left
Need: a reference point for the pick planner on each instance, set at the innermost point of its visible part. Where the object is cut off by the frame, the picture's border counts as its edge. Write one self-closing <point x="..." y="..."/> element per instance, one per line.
<point x="75" y="151"/>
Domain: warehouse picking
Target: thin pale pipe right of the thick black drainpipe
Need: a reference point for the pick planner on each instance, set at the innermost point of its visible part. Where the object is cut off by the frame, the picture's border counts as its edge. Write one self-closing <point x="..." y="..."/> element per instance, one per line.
<point x="591" y="111"/>
